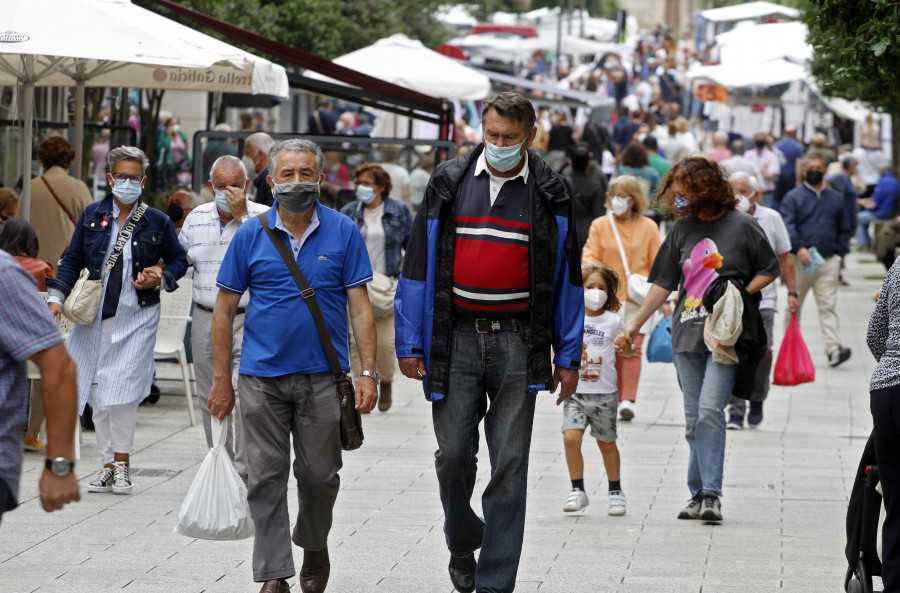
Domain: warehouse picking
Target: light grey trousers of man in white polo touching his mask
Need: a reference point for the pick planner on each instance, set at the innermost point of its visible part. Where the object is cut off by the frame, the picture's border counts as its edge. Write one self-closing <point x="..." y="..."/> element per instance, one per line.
<point x="203" y="373"/>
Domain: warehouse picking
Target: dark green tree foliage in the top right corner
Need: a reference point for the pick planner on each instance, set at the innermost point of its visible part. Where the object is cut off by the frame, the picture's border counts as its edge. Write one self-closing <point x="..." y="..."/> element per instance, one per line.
<point x="857" y="52"/>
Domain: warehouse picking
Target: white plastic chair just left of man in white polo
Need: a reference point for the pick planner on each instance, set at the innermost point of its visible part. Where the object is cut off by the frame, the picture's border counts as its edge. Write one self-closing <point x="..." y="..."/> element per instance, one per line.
<point x="175" y="313"/>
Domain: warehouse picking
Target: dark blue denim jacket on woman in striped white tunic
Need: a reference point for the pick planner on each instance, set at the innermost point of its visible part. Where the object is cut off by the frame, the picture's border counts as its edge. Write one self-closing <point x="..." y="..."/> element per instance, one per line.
<point x="153" y="239"/>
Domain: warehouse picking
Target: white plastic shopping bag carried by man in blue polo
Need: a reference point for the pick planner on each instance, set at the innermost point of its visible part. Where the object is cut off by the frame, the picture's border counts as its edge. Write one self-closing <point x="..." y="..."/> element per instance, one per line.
<point x="216" y="503"/>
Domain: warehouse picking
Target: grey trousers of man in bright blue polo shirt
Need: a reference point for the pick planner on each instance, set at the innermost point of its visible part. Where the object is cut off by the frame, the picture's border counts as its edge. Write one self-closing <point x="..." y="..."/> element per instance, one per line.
<point x="273" y="409"/>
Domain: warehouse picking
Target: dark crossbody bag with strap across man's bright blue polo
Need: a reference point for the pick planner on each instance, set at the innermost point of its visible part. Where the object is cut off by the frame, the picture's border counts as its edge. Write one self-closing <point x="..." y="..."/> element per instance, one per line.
<point x="351" y="421"/>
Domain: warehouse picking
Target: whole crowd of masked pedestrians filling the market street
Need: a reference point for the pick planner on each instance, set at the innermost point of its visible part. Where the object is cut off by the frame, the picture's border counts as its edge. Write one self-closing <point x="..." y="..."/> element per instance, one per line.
<point x="514" y="270"/>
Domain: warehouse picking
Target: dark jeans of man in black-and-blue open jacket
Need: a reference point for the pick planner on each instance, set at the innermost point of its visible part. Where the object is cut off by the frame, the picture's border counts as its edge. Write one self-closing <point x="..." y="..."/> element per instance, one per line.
<point x="487" y="381"/>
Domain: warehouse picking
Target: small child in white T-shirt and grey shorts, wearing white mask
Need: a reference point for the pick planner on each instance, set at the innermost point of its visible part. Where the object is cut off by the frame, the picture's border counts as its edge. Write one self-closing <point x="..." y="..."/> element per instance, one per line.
<point x="595" y="402"/>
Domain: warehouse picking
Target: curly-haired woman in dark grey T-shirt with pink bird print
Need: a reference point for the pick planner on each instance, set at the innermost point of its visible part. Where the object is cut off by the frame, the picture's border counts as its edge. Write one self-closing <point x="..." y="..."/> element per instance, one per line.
<point x="710" y="239"/>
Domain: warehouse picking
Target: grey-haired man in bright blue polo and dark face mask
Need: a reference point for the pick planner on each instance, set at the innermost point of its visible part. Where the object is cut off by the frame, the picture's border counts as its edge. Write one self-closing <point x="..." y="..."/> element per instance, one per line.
<point x="285" y="380"/>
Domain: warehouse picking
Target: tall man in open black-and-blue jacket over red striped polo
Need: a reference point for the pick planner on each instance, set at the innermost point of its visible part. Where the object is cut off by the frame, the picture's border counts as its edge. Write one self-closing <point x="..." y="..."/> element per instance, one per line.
<point x="491" y="281"/>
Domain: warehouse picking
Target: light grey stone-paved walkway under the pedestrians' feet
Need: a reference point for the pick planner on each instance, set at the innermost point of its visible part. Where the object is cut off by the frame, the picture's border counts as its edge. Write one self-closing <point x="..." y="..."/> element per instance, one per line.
<point x="786" y="490"/>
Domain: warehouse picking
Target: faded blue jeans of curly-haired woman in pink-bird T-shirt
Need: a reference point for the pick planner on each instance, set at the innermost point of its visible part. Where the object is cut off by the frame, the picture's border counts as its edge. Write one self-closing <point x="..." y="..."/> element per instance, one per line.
<point x="707" y="387"/>
